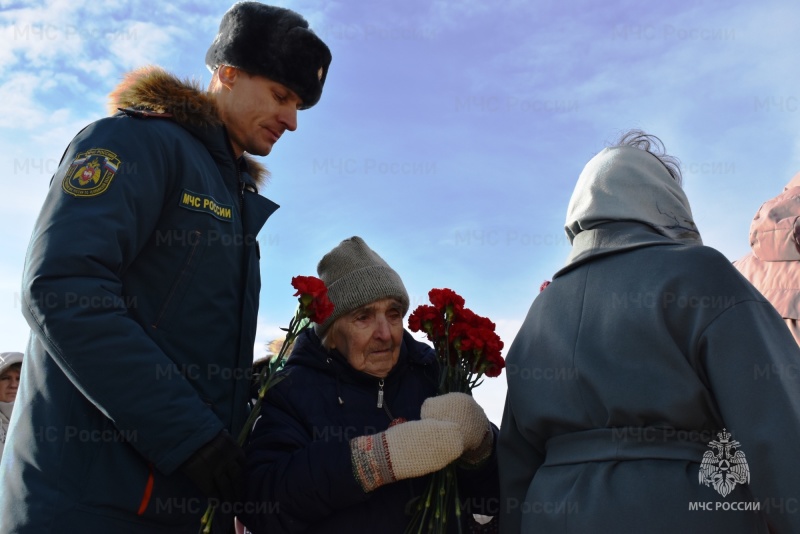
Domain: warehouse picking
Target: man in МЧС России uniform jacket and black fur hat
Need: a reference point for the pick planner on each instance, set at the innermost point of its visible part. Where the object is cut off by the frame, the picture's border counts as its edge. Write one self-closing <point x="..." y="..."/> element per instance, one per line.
<point x="141" y="290"/>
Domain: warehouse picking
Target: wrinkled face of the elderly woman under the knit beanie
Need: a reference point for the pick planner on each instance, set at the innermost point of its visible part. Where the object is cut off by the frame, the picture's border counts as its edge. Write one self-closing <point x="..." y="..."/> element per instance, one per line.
<point x="370" y="336"/>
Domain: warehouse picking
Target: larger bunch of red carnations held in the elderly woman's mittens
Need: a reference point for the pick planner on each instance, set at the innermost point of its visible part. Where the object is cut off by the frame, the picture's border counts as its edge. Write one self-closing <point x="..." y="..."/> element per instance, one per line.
<point x="468" y="349"/>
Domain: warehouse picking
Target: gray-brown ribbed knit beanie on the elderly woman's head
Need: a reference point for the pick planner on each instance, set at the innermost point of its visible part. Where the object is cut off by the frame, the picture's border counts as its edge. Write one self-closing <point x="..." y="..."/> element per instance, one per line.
<point x="355" y="276"/>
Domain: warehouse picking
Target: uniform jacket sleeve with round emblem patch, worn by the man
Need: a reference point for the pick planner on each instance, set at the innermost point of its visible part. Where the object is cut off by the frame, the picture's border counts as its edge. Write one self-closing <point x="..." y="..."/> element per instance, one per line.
<point x="75" y="302"/>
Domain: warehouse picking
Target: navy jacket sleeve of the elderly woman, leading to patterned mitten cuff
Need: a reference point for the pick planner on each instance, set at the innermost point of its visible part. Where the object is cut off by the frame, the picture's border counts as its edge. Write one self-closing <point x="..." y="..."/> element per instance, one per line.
<point x="294" y="481"/>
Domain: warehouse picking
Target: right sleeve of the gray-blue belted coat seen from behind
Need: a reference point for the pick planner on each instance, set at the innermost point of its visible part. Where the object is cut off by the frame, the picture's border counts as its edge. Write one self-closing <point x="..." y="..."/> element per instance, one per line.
<point x="753" y="369"/>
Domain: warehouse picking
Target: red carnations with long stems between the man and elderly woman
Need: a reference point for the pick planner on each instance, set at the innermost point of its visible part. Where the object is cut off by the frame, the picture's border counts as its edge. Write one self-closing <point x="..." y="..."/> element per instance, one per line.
<point x="314" y="306"/>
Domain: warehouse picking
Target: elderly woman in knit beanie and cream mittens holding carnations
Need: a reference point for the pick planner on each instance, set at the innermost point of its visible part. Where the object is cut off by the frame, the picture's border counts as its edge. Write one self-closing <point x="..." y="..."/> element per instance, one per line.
<point x="341" y="445"/>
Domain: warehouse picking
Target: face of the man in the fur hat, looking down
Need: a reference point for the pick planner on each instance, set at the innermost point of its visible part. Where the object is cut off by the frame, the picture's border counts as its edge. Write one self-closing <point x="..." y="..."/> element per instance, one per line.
<point x="256" y="110"/>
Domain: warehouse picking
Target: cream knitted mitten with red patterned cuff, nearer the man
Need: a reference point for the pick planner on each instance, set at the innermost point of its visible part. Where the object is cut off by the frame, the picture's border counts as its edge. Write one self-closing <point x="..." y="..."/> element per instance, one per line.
<point x="407" y="450"/>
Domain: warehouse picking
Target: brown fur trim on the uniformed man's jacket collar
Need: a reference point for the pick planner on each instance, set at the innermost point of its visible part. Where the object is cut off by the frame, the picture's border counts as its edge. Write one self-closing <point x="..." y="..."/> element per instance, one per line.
<point x="156" y="92"/>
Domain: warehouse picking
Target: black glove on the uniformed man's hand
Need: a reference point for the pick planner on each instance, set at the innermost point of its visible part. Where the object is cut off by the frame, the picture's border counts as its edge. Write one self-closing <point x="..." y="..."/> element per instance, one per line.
<point x="217" y="468"/>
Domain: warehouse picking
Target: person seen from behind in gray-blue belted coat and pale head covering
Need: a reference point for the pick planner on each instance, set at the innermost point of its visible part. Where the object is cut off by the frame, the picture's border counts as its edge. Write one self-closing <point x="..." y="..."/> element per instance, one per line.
<point x="676" y="403"/>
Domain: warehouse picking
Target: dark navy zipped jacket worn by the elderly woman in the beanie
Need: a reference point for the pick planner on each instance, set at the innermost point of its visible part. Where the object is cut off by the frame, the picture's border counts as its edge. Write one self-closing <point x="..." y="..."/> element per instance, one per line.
<point x="300" y="477"/>
